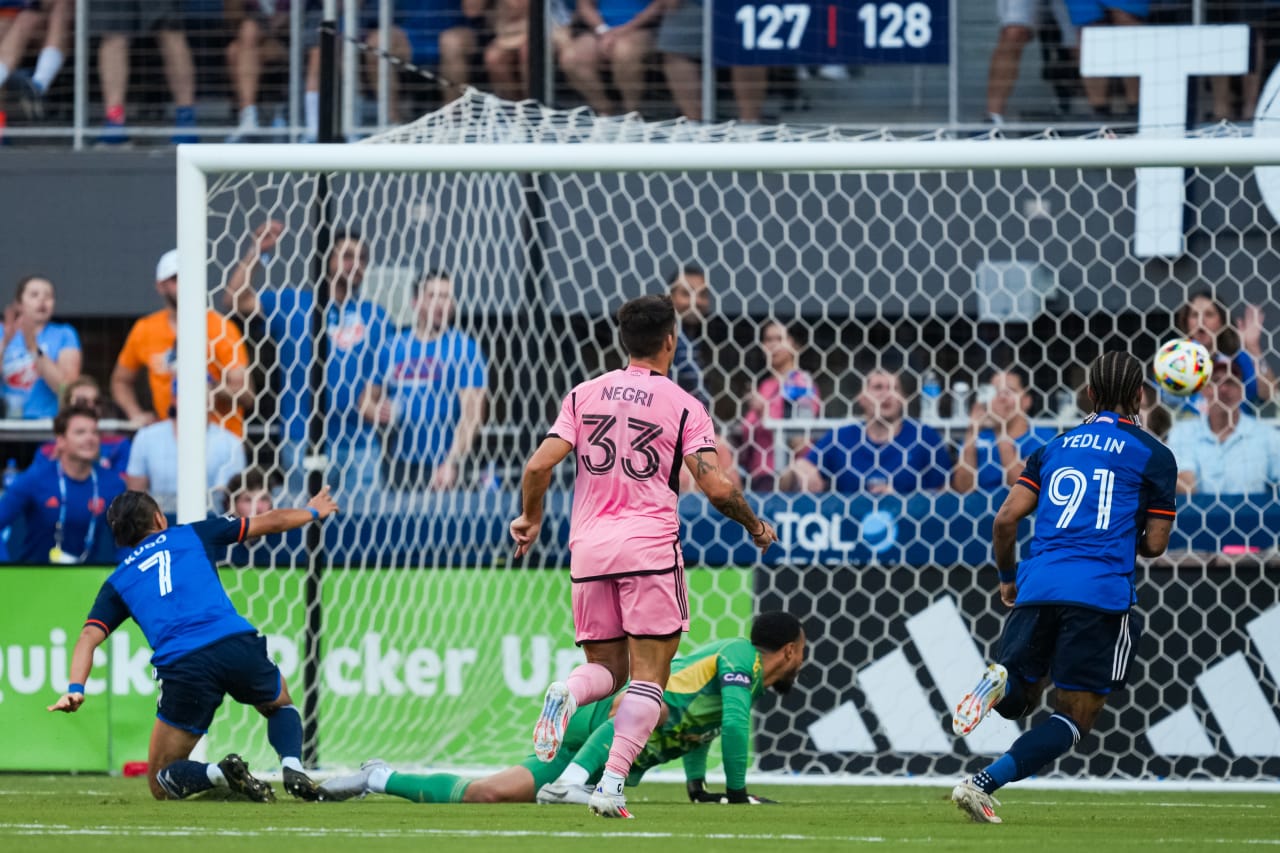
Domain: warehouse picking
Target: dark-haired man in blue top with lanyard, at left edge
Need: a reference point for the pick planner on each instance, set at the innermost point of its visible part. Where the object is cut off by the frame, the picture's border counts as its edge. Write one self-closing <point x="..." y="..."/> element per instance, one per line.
<point x="63" y="501"/>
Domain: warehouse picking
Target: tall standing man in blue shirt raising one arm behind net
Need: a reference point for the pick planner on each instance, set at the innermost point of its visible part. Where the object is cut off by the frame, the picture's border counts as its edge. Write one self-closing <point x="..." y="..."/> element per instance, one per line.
<point x="356" y="330"/>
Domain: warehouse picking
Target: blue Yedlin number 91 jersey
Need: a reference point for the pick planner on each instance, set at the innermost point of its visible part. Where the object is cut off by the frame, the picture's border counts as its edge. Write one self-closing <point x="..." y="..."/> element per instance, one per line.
<point x="1098" y="486"/>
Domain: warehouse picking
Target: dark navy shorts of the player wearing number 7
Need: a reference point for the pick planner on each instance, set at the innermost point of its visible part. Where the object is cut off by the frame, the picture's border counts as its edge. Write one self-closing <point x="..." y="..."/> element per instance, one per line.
<point x="193" y="687"/>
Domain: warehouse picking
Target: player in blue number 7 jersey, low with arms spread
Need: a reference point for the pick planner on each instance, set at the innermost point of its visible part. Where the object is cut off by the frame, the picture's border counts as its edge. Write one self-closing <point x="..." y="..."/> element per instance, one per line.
<point x="203" y="649"/>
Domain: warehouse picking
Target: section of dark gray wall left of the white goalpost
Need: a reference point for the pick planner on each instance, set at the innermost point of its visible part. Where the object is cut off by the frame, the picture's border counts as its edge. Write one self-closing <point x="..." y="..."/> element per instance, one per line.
<point x="94" y="222"/>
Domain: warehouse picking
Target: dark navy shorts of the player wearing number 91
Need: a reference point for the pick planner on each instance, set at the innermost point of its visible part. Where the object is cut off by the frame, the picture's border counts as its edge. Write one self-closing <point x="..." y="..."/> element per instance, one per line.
<point x="1080" y="649"/>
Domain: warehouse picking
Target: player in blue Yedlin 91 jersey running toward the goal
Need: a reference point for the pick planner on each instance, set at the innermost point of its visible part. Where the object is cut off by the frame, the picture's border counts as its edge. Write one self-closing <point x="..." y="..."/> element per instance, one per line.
<point x="1103" y="492"/>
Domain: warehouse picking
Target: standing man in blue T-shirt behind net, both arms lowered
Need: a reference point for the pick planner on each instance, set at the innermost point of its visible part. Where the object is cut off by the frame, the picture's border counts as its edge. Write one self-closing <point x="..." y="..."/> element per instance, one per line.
<point x="429" y="395"/>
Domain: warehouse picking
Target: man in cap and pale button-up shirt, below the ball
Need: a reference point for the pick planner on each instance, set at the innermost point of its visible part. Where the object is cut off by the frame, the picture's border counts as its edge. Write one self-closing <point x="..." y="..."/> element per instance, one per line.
<point x="1226" y="451"/>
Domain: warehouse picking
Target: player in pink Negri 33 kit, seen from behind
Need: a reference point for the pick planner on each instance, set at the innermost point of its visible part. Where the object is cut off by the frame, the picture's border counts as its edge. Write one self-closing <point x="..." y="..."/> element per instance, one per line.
<point x="630" y="431"/>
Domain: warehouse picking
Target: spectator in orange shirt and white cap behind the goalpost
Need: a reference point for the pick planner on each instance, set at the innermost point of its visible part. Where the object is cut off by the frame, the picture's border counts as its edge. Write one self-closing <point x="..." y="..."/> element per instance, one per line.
<point x="152" y="346"/>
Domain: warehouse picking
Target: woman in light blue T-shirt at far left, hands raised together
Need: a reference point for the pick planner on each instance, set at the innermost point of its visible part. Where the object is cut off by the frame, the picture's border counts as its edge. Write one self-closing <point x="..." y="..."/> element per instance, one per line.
<point x="39" y="357"/>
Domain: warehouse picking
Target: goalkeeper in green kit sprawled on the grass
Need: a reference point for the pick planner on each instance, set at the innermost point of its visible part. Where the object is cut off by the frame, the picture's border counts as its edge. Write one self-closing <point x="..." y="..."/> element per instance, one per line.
<point x="710" y="695"/>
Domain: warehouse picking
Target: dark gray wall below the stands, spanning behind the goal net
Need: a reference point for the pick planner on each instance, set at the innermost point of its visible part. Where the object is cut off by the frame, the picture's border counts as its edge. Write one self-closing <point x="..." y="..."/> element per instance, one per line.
<point x="817" y="245"/>
